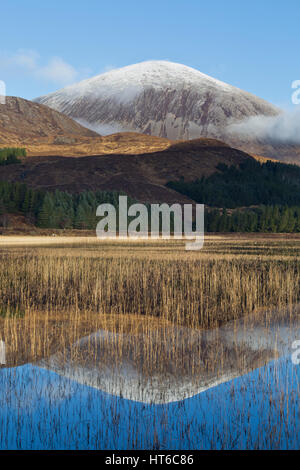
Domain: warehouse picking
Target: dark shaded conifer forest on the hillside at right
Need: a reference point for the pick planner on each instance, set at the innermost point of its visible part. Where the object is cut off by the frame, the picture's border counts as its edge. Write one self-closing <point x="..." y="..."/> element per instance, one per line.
<point x="251" y="183"/>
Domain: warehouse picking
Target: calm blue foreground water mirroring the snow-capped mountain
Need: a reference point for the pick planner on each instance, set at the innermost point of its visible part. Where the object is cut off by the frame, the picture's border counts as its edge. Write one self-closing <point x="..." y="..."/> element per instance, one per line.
<point x="248" y="400"/>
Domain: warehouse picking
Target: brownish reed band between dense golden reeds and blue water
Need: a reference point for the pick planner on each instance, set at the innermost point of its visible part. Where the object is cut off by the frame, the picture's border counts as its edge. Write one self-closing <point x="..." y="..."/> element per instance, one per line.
<point x="152" y="345"/>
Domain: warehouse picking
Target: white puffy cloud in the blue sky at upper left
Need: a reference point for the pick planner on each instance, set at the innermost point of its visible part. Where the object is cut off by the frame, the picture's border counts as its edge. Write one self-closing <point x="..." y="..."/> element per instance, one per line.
<point x="28" y="62"/>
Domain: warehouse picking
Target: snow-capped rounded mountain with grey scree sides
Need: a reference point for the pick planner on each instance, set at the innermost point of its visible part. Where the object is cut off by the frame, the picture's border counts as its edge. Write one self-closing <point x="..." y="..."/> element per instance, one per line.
<point x="158" y="98"/>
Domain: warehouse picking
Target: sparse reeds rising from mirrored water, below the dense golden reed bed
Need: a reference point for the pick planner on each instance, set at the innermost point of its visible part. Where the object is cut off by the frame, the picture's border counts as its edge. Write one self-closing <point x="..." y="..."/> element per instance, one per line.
<point x="165" y="357"/>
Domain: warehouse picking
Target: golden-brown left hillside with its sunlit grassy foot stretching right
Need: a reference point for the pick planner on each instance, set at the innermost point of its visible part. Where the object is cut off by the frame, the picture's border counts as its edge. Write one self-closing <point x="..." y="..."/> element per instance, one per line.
<point x="44" y="131"/>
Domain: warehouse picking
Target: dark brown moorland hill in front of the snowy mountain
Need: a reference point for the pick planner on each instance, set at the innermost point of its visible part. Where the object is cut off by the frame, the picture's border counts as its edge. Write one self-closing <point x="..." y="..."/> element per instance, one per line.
<point x="141" y="176"/>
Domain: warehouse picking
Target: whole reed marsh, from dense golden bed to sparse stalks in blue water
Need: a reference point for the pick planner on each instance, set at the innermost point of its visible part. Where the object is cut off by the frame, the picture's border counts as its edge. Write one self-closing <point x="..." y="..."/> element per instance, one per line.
<point x="157" y="305"/>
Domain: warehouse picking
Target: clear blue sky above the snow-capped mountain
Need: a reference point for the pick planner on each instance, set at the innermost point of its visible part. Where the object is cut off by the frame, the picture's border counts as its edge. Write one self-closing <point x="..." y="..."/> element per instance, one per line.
<point x="47" y="45"/>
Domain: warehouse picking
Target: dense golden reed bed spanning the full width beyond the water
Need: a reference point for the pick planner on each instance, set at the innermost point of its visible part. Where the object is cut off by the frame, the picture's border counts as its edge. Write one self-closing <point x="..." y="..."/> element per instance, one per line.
<point x="226" y="280"/>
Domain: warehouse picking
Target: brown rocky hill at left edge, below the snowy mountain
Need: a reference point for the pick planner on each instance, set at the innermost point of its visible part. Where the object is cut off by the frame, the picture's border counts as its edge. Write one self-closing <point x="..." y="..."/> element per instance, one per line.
<point x="23" y="121"/>
